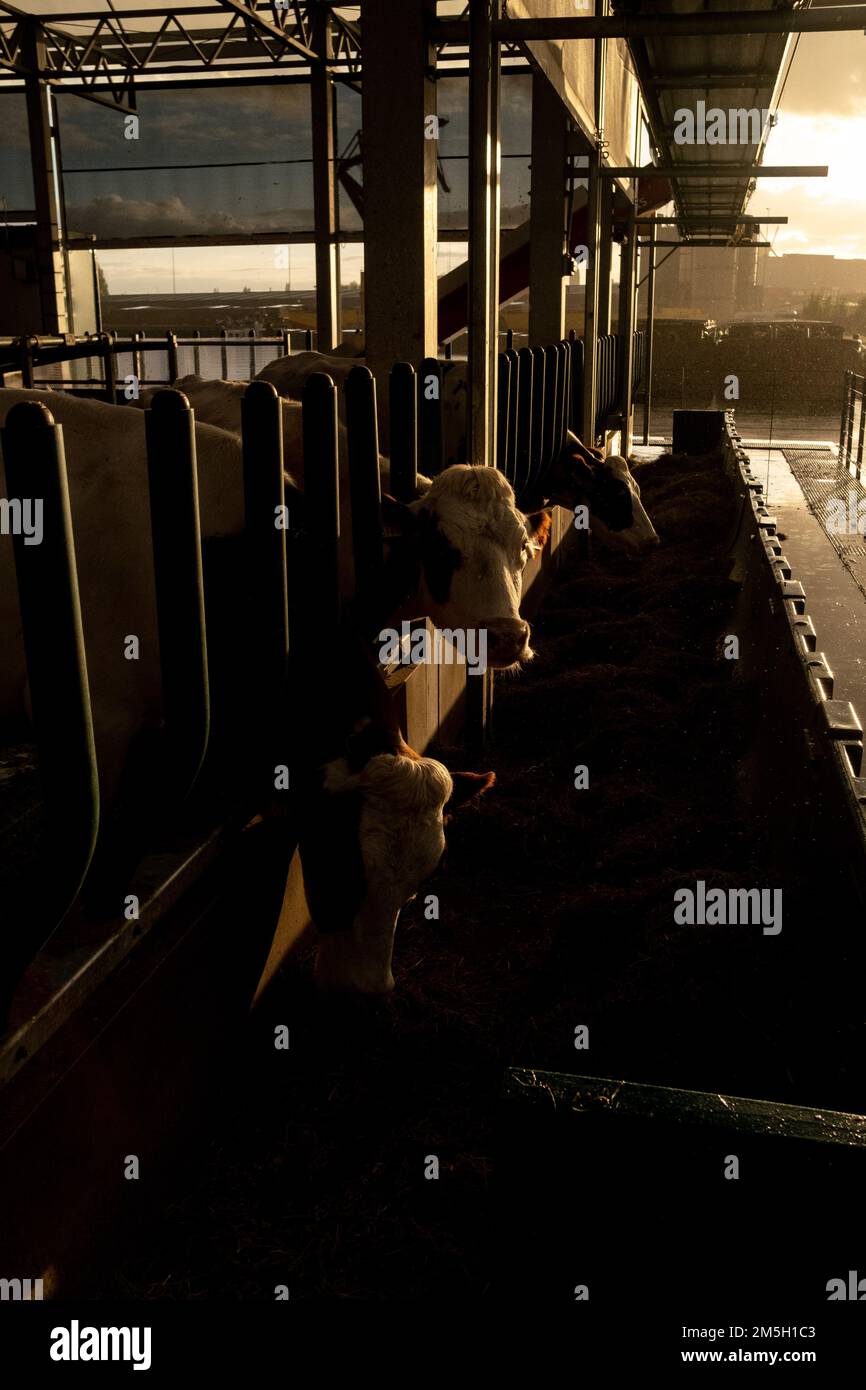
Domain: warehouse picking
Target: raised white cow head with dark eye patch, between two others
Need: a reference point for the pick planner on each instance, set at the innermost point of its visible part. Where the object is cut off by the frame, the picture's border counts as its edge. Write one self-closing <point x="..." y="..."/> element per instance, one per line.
<point x="464" y="550"/>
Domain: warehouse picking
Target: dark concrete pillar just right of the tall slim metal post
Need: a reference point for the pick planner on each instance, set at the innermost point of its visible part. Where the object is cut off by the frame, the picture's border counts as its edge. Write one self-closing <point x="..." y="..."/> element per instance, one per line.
<point x="548" y="211"/>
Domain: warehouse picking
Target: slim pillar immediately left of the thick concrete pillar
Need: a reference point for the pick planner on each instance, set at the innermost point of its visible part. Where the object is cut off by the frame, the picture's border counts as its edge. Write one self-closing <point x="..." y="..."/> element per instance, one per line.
<point x="325" y="193"/>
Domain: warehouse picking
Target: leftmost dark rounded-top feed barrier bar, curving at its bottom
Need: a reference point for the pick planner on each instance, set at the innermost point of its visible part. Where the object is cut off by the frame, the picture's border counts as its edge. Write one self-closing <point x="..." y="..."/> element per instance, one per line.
<point x="58" y="673"/>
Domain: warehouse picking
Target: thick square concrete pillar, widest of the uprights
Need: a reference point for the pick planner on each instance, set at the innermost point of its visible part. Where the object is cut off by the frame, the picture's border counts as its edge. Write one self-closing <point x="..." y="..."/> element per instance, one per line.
<point x="400" y="152"/>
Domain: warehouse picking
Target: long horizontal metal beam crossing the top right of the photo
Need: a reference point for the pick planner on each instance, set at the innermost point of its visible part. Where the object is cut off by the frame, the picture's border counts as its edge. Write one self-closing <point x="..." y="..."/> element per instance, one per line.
<point x="703" y="24"/>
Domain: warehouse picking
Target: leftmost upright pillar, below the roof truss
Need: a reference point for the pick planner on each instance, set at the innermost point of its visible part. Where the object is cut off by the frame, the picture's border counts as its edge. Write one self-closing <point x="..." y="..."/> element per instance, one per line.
<point x="49" y="236"/>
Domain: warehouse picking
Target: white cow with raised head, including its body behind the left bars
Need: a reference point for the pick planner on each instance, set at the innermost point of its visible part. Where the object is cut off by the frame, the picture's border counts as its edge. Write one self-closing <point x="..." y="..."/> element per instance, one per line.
<point x="462" y="550"/>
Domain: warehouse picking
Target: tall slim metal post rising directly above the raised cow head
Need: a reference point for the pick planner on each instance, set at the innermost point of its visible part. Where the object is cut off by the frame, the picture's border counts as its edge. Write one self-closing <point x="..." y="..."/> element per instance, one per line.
<point x="483" y="233"/>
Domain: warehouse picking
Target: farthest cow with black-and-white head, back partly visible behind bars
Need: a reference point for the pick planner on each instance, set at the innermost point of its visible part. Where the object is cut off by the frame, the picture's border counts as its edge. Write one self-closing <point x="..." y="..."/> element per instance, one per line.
<point x="579" y="477"/>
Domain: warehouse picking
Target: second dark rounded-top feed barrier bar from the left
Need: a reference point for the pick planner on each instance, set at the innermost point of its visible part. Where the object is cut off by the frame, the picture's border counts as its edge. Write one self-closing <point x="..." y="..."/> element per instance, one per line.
<point x="180" y="590"/>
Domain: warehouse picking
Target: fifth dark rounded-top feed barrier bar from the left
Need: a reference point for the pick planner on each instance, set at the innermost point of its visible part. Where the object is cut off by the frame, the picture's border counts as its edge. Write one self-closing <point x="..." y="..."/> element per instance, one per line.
<point x="365" y="487"/>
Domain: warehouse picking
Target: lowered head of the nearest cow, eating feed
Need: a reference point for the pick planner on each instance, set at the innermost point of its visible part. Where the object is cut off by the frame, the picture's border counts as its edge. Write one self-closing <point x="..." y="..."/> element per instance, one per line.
<point x="380" y="814"/>
